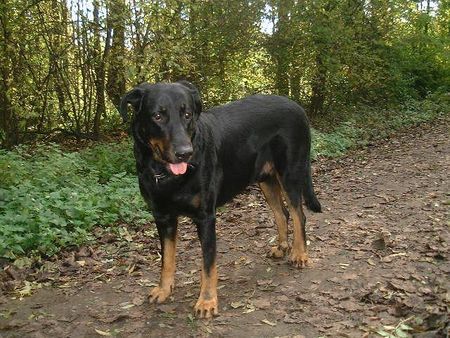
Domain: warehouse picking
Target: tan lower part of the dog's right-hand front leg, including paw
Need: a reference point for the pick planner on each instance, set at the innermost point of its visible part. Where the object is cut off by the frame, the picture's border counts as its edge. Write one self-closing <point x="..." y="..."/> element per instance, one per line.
<point x="207" y="304"/>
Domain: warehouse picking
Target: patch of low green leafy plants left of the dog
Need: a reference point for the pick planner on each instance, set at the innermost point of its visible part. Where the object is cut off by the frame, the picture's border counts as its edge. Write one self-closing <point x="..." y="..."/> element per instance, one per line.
<point x="51" y="199"/>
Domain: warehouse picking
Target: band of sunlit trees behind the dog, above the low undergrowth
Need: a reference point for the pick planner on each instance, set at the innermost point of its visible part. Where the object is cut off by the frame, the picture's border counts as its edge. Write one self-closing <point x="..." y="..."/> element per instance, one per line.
<point x="65" y="64"/>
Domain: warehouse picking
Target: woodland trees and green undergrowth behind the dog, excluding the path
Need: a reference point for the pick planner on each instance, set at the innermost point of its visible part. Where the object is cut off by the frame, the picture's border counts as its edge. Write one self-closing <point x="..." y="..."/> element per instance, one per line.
<point x="361" y="68"/>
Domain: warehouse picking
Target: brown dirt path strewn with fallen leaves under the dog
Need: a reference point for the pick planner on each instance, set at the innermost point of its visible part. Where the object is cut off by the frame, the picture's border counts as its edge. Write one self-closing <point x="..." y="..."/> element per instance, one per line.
<point x="379" y="258"/>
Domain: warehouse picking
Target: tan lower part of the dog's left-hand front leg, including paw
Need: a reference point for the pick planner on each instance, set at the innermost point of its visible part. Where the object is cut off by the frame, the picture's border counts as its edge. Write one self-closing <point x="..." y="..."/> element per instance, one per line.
<point x="160" y="293"/>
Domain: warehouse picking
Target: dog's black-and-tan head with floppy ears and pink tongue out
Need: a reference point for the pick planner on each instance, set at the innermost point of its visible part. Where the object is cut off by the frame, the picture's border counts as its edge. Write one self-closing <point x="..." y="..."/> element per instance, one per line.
<point x="164" y="120"/>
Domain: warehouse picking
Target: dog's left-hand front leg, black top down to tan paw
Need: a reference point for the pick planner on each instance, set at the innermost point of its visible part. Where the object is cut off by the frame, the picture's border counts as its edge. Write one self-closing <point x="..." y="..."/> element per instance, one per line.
<point x="167" y="230"/>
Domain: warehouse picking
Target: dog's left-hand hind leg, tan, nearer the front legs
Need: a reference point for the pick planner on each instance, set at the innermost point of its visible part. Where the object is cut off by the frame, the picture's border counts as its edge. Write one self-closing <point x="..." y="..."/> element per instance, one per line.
<point x="272" y="192"/>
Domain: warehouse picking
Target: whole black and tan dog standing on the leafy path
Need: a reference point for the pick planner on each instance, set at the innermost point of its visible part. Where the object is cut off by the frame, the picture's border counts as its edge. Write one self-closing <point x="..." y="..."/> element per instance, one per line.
<point x="190" y="163"/>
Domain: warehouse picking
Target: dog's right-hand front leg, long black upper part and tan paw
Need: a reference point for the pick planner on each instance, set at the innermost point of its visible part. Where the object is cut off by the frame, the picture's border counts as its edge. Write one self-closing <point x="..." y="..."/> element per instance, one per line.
<point x="207" y="304"/>
